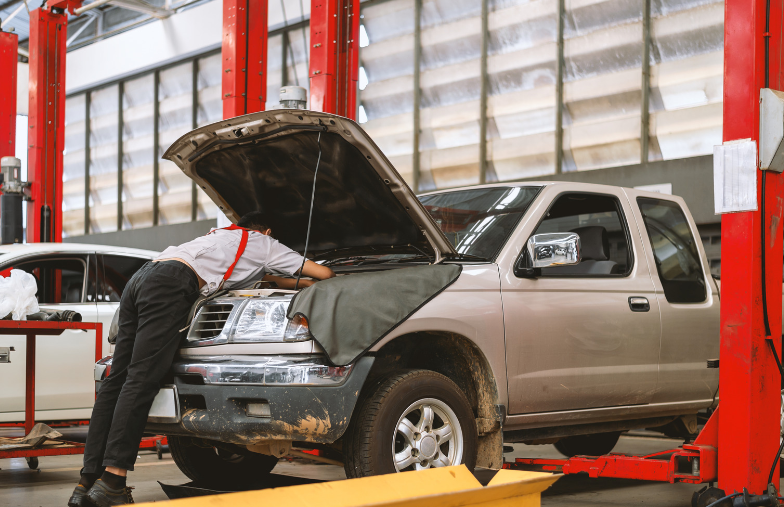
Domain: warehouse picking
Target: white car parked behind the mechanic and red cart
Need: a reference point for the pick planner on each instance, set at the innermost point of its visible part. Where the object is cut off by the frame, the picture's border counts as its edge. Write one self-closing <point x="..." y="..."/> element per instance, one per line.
<point x="88" y="279"/>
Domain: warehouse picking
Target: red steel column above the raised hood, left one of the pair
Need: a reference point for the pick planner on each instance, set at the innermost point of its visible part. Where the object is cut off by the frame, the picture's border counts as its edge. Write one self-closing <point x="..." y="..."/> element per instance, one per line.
<point x="244" y="55"/>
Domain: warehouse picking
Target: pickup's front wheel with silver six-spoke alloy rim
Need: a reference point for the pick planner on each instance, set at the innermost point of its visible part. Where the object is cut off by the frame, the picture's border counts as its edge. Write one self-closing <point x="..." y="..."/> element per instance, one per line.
<point x="392" y="417"/>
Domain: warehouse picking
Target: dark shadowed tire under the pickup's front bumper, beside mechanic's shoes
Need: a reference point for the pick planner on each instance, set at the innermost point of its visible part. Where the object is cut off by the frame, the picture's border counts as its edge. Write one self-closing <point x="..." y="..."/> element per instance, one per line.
<point x="205" y="464"/>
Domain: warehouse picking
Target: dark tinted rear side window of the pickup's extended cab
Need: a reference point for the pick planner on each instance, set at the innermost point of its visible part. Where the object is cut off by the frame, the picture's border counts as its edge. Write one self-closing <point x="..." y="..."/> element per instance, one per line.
<point x="674" y="250"/>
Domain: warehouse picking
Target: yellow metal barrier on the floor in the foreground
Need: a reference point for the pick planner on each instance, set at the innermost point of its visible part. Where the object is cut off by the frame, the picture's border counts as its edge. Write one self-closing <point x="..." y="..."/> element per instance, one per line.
<point x="443" y="487"/>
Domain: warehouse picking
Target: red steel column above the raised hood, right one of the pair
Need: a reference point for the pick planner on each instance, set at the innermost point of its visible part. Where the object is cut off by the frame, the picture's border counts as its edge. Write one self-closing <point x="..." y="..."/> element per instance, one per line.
<point x="334" y="56"/>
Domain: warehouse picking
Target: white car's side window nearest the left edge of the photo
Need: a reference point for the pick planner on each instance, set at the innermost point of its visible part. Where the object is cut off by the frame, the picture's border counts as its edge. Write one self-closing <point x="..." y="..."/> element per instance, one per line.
<point x="59" y="280"/>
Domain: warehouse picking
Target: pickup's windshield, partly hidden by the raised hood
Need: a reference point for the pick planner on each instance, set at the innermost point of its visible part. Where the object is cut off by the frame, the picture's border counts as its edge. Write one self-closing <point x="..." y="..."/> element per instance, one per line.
<point x="478" y="221"/>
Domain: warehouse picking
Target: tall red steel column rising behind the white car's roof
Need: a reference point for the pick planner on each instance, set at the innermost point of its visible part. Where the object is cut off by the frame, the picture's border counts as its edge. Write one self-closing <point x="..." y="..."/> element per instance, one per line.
<point x="47" y="125"/>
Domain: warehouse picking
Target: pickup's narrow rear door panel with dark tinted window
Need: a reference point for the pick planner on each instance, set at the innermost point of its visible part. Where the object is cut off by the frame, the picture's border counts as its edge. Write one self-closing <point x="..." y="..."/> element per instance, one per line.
<point x="688" y="302"/>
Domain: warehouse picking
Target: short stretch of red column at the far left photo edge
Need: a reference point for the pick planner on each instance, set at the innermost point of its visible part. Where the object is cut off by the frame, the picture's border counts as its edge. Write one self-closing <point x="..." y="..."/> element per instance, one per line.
<point x="8" y="51"/>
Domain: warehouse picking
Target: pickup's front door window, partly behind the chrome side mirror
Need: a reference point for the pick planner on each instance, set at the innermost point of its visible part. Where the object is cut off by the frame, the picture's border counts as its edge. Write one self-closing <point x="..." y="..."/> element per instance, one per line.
<point x="604" y="237"/>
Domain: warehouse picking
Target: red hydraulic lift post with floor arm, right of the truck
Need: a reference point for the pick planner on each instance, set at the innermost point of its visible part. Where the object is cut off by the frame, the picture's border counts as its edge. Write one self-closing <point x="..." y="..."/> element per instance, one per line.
<point x="738" y="445"/>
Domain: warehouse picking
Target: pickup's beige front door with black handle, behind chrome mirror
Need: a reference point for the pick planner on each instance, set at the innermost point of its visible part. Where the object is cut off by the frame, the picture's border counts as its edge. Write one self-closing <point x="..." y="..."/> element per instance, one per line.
<point x="575" y="337"/>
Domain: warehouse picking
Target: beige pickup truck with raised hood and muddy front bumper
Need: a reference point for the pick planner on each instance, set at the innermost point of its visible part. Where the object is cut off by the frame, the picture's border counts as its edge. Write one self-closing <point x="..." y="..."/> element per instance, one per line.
<point x="581" y="311"/>
